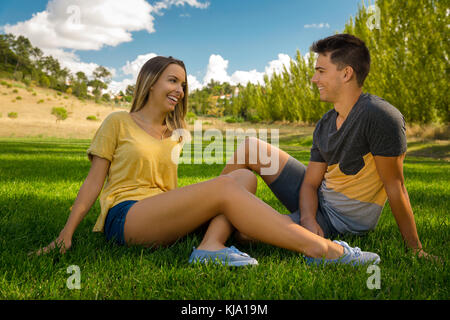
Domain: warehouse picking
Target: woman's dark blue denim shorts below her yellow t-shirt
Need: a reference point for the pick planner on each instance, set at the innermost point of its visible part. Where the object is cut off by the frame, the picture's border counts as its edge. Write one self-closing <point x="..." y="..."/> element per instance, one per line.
<point x="115" y="221"/>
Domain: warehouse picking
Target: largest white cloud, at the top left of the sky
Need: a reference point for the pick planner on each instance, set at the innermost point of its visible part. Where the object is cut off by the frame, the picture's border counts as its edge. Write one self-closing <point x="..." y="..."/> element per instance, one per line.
<point x="85" y="24"/>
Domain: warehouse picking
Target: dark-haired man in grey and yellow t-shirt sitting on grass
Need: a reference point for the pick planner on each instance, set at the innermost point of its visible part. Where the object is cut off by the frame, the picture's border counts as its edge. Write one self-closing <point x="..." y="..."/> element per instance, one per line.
<point x="356" y="161"/>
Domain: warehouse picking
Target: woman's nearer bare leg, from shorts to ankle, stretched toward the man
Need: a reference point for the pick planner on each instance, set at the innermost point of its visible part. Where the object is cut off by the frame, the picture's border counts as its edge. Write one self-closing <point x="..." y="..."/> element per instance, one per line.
<point x="164" y="218"/>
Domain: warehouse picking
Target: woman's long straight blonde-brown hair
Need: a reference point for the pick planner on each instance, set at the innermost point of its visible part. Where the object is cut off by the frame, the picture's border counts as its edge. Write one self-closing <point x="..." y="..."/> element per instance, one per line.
<point x="147" y="77"/>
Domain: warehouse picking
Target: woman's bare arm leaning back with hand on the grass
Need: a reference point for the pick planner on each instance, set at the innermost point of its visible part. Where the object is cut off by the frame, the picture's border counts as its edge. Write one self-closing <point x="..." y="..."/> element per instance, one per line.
<point x="86" y="197"/>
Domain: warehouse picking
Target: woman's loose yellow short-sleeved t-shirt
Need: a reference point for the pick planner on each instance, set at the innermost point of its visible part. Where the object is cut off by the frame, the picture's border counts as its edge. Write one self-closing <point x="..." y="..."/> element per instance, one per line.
<point x="141" y="165"/>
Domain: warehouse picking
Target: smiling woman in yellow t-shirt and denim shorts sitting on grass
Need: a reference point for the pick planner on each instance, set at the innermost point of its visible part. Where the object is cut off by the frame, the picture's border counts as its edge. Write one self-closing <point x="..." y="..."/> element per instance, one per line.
<point x="141" y="204"/>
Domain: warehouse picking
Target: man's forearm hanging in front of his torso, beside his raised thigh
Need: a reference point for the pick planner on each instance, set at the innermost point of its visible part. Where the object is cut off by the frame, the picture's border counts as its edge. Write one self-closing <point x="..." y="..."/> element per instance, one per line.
<point x="308" y="196"/>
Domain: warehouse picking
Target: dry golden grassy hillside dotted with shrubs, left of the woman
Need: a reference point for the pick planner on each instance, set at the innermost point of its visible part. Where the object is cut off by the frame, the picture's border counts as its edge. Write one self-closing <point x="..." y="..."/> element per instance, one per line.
<point x="33" y="106"/>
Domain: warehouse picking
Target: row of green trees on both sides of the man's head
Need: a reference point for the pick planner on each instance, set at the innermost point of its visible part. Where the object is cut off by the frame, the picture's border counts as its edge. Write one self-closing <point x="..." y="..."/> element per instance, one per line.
<point x="408" y="42"/>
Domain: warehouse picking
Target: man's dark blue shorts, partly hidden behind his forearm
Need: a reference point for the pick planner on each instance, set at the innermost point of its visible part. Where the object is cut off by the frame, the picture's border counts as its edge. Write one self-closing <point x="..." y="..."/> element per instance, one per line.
<point x="287" y="189"/>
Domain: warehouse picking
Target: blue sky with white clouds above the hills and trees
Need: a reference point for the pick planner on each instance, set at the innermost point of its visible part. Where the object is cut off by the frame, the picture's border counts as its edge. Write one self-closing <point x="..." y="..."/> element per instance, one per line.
<point x="225" y="40"/>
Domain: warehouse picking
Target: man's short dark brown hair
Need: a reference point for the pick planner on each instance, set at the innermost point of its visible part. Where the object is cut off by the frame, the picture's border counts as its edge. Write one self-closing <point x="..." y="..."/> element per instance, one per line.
<point x="346" y="50"/>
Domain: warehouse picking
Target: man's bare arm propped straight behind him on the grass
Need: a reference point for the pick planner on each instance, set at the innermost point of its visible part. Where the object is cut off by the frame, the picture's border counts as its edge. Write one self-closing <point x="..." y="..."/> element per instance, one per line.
<point x="390" y="170"/>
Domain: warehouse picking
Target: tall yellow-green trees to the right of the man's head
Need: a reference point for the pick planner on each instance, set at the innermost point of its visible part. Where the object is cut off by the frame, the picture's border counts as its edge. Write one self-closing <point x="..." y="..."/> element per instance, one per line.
<point x="409" y="56"/>
